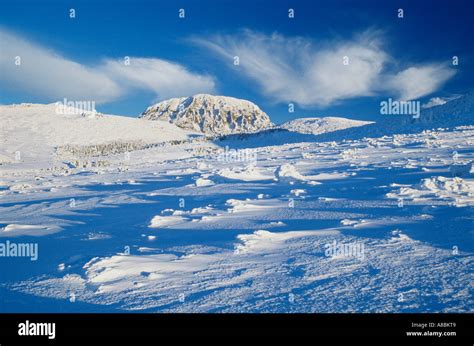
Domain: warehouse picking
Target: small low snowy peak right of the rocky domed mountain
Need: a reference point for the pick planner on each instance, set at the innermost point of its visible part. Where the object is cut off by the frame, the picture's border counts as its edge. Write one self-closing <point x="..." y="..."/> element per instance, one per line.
<point x="316" y="126"/>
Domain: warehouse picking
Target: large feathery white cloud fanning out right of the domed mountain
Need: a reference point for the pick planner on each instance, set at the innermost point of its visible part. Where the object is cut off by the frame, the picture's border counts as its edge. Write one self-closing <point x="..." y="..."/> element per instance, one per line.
<point x="296" y="69"/>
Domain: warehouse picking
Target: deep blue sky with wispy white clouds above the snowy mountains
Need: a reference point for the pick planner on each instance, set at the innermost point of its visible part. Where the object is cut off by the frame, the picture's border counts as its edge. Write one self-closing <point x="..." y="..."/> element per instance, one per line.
<point x="282" y="60"/>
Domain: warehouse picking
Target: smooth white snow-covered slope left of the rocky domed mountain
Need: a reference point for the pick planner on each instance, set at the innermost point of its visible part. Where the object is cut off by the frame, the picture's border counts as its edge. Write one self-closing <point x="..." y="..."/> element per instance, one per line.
<point x="34" y="133"/>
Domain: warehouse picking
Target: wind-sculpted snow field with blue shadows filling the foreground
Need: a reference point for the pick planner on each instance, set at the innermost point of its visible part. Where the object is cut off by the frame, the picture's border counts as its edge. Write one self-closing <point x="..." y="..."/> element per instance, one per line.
<point x="366" y="224"/>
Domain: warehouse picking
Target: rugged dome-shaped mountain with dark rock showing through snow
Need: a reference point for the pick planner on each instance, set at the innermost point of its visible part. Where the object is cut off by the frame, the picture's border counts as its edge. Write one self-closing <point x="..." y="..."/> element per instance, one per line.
<point x="213" y="115"/>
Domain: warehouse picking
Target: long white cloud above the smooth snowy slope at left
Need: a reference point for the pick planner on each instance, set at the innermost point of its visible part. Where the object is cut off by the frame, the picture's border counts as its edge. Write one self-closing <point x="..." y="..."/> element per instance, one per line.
<point x="47" y="74"/>
